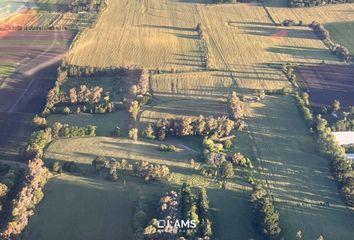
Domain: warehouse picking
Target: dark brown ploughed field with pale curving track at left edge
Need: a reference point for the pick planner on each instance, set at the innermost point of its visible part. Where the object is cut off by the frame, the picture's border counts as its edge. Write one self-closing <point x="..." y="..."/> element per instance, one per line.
<point x="35" y="54"/>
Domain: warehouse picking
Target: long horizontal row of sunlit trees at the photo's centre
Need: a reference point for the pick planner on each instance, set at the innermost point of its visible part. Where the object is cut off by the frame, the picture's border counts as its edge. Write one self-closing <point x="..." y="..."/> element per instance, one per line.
<point x="187" y="126"/>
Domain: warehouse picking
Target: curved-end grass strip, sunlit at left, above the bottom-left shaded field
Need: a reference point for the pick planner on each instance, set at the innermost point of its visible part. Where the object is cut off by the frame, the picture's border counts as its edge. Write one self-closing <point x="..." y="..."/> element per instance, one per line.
<point x="84" y="150"/>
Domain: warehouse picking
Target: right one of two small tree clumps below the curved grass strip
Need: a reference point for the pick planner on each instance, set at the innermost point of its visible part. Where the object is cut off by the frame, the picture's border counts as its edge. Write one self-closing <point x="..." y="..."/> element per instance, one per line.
<point x="150" y="172"/>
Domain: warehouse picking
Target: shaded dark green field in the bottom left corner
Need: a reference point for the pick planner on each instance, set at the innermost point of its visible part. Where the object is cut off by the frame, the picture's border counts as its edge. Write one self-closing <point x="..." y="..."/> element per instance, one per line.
<point x="82" y="208"/>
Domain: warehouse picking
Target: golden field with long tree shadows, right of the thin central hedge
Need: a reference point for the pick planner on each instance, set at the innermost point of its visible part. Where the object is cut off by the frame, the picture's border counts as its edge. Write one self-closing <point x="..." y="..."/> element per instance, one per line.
<point x="244" y="40"/>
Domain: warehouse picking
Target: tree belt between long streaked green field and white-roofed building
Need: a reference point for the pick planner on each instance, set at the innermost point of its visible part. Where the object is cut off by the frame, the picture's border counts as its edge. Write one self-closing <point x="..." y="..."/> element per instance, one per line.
<point x="341" y="166"/>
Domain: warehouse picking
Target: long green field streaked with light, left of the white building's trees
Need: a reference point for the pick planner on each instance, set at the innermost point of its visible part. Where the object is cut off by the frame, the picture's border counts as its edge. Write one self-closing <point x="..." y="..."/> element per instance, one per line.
<point x="303" y="188"/>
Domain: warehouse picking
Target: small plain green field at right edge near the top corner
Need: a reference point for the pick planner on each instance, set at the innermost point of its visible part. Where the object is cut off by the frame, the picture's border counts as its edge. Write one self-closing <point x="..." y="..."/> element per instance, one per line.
<point x="342" y="33"/>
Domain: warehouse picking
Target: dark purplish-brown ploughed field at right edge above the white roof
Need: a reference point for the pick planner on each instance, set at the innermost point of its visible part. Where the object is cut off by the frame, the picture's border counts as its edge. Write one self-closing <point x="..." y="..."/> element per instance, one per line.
<point x="325" y="83"/>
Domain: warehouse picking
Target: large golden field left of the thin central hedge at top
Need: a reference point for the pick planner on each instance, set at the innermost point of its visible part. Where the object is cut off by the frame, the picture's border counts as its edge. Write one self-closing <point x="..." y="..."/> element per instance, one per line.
<point x="148" y="33"/>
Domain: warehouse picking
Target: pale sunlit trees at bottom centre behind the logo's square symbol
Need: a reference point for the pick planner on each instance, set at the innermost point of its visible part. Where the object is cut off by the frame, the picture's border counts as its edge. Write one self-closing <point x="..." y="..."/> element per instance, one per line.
<point x="169" y="210"/>
